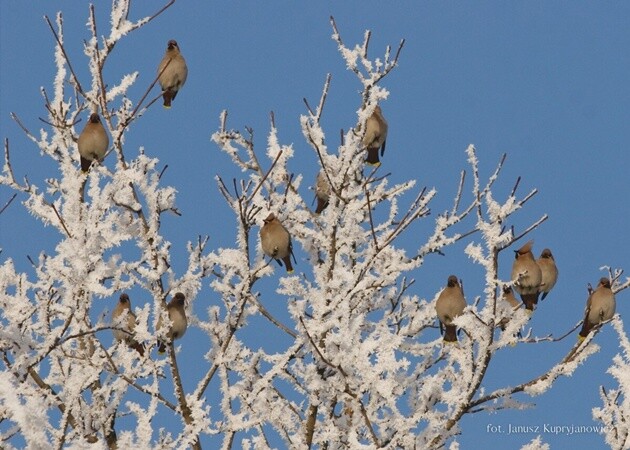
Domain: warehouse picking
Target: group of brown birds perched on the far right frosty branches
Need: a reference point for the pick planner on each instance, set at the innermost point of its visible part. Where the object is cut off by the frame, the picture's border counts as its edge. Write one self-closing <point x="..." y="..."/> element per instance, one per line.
<point x="530" y="277"/>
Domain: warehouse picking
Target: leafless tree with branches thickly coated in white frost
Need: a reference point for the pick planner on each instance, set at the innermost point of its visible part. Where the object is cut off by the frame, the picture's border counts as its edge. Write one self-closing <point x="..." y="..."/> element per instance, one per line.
<point x="361" y="362"/>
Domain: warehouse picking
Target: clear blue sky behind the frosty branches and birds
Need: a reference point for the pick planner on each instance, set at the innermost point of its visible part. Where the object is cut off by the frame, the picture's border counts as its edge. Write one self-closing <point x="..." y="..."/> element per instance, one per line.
<point x="544" y="82"/>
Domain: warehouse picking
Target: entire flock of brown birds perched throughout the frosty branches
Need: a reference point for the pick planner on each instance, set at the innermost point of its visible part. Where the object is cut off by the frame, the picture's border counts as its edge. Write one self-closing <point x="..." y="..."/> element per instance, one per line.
<point x="530" y="277"/>
